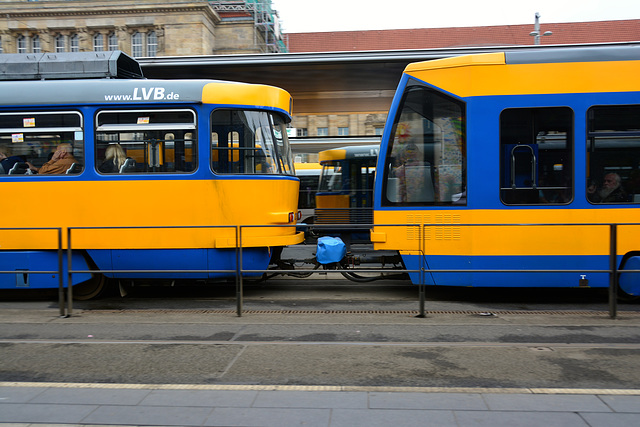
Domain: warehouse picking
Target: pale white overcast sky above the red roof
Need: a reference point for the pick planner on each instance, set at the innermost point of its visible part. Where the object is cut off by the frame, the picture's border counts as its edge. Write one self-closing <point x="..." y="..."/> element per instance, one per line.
<point x="300" y="16"/>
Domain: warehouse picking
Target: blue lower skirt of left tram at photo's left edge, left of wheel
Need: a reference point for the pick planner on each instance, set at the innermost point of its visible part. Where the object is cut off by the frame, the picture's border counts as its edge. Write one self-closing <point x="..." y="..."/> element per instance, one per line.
<point x="27" y="263"/>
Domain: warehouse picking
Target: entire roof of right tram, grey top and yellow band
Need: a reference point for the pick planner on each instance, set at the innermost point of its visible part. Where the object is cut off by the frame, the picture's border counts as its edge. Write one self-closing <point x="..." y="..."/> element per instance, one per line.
<point x="594" y="69"/>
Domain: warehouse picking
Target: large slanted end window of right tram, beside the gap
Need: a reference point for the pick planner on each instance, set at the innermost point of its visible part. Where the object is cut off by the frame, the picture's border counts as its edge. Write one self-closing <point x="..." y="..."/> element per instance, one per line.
<point x="427" y="153"/>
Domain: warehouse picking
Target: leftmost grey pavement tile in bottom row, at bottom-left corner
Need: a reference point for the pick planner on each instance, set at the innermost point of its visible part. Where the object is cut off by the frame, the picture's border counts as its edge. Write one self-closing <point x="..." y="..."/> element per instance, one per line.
<point x="44" y="413"/>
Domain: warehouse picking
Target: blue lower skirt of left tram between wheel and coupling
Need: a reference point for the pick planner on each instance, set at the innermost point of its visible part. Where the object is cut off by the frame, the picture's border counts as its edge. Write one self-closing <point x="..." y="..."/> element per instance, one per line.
<point x="172" y="260"/>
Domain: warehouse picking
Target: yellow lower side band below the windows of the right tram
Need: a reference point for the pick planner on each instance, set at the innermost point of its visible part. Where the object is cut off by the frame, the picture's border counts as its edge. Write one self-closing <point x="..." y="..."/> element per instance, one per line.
<point x="444" y="233"/>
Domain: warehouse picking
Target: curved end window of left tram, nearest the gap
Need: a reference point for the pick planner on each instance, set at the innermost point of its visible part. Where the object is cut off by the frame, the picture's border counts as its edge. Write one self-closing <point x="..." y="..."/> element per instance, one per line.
<point x="249" y="142"/>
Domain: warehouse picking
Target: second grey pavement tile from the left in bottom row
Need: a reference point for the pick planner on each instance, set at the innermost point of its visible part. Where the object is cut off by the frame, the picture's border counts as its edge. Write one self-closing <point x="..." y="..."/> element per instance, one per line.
<point x="148" y="415"/>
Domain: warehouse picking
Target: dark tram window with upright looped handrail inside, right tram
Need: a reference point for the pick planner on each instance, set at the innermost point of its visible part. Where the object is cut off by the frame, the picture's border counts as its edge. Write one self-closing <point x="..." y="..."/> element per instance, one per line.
<point x="536" y="156"/>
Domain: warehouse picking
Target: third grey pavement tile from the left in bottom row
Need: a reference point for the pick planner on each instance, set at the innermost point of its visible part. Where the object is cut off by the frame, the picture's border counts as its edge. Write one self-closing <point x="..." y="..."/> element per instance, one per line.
<point x="269" y="417"/>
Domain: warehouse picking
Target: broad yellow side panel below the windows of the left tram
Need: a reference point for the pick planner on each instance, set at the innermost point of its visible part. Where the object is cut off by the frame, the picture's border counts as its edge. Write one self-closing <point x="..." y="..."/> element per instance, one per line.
<point x="151" y="203"/>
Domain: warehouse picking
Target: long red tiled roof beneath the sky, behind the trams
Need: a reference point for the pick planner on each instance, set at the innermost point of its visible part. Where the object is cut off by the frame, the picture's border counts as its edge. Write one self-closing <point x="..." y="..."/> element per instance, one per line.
<point x="433" y="38"/>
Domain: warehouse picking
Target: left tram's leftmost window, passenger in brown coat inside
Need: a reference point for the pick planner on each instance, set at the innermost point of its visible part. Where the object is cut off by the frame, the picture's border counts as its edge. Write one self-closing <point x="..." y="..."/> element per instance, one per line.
<point x="45" y="142"/>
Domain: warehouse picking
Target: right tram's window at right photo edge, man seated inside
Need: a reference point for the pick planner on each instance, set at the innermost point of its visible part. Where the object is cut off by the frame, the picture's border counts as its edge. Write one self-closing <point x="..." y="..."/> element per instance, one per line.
<point x="613" y="154"/>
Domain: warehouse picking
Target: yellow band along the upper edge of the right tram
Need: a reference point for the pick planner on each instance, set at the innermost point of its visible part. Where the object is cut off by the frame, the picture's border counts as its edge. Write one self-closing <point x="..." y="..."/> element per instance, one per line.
<point x="487" y="75"/>
